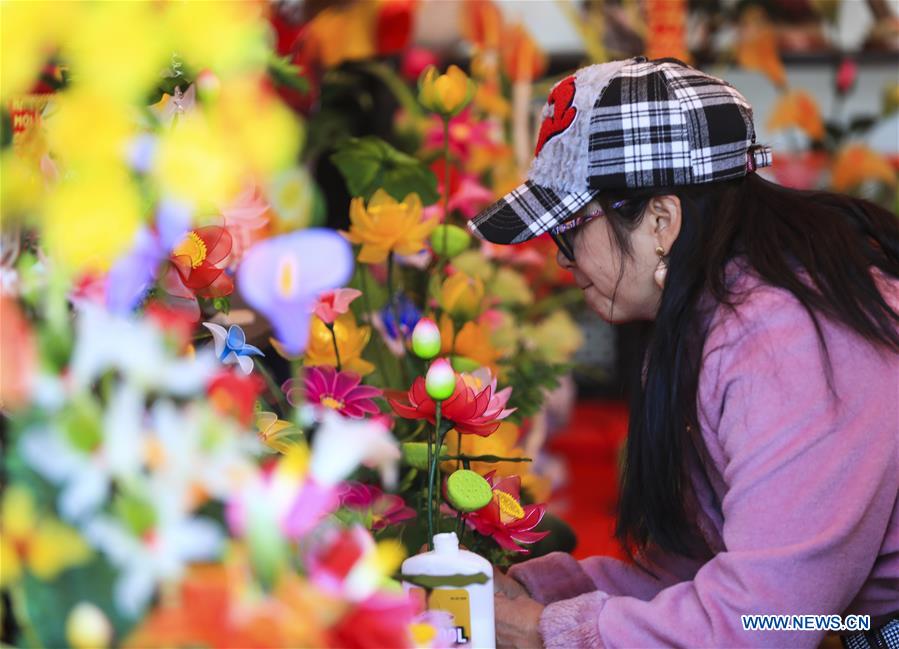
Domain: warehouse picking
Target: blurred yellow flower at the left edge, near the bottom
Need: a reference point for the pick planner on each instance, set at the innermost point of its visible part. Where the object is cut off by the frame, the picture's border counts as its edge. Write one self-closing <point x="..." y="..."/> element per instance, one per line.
<point x="43" y="545"/>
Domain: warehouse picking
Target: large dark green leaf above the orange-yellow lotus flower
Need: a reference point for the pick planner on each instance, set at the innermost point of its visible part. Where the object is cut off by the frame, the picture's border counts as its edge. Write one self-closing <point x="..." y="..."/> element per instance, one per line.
<point x="369" y="163"/>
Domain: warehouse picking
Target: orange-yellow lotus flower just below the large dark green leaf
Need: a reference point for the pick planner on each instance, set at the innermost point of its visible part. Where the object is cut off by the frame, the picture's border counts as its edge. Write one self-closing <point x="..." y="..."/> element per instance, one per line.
<point x="387" y="226"/>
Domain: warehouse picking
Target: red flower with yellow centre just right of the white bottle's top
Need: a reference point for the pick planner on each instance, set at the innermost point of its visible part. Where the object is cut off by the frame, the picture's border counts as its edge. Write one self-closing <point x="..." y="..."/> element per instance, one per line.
<point x="504" y="519"/>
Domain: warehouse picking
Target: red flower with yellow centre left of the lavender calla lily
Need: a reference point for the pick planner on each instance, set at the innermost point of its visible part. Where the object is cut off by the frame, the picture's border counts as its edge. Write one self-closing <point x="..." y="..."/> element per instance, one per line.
<point x="201" y="259"/>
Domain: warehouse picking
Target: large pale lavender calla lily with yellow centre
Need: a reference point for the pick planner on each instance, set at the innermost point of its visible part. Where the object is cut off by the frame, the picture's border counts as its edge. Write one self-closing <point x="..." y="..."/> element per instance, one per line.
<point x="282" y="277"/>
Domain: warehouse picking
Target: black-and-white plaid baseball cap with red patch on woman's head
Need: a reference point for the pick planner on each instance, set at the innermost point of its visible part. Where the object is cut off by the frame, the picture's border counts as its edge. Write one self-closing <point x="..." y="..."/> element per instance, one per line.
<point x="625" y="125"/>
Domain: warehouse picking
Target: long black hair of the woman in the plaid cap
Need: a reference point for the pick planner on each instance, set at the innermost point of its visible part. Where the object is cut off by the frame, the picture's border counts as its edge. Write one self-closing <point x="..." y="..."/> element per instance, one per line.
<point x="819" y="246"/>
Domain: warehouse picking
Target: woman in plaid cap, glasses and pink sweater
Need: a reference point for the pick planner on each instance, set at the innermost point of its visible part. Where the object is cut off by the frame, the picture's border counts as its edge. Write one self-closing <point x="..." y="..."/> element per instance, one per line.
<point x="762" y="464"/>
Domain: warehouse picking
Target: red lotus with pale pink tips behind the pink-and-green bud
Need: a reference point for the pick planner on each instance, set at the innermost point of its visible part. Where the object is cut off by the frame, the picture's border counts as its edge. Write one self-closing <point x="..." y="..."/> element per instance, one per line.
<point x="475" y="406"/>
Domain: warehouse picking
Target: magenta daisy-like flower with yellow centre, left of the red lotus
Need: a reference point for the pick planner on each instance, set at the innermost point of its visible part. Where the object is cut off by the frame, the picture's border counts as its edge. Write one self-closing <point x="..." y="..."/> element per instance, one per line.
<point x="340" y="391"/>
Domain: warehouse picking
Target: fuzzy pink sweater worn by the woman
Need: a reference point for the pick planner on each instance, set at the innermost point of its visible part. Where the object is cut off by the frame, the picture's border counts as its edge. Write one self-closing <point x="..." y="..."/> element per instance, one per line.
<point x="808" y="487"/>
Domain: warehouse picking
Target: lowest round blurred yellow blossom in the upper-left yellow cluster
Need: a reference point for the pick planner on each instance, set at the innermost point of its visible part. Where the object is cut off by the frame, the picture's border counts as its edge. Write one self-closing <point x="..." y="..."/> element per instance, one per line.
<point x="91" y="219"/>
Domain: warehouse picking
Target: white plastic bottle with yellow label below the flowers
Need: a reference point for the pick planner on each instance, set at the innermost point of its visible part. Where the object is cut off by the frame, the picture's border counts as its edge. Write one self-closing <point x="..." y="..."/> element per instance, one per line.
<point x="471" y="605"/>
